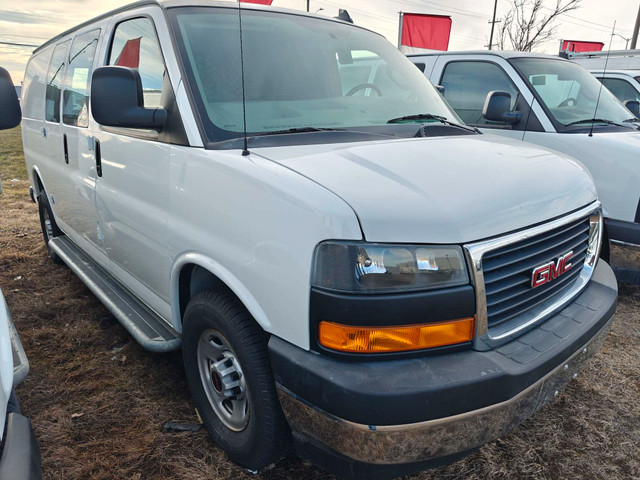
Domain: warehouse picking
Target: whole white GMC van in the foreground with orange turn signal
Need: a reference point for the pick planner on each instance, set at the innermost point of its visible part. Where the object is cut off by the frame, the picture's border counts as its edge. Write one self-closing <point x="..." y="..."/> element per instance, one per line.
<point x="344" y="265"/>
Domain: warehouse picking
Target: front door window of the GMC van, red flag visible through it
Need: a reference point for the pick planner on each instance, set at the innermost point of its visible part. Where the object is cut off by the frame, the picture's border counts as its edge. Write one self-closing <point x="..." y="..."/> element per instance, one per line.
<point x="135" y="45"/>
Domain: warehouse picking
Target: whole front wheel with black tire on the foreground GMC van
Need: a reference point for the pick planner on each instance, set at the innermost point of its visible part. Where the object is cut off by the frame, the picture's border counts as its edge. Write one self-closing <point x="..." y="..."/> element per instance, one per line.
<point x="220" y="337"/>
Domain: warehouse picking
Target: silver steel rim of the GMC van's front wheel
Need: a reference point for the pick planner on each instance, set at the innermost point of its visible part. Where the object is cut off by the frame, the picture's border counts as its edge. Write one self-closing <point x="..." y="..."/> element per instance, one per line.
<point x="223" y="380"/>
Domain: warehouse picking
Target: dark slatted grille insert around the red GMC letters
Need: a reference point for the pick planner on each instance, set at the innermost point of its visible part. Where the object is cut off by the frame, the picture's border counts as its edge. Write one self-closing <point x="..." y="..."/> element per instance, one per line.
<point x="507" y="270"/>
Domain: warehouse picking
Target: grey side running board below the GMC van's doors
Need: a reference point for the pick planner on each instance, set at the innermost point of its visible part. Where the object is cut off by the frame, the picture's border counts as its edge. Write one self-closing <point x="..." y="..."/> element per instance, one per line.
<point x="147" y="328"/>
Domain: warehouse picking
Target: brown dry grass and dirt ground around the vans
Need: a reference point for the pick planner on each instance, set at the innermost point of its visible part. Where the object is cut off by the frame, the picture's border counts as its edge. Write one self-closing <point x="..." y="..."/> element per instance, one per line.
<point x="98" y="401"/>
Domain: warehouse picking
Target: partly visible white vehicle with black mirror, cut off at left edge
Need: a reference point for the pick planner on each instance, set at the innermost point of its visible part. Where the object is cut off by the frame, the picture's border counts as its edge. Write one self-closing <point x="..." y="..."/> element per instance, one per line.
<point x="19" y="452"/>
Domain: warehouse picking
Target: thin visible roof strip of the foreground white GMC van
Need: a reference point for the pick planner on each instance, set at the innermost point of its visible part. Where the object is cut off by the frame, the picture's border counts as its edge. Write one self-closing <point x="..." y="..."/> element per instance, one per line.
<point x="165" y="4"/>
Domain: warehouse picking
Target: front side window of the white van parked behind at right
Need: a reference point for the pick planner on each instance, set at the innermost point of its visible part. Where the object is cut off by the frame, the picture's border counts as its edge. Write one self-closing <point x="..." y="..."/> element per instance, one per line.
<point x="466" y="85"/>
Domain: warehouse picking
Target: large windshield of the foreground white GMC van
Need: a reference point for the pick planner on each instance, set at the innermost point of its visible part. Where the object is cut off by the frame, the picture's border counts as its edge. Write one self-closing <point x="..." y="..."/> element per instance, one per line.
<point x="299" y="72"/>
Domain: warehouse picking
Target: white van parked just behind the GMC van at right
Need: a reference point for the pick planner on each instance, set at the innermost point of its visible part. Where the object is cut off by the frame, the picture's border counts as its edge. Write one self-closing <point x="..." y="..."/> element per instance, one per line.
<point x="551" y="102"/>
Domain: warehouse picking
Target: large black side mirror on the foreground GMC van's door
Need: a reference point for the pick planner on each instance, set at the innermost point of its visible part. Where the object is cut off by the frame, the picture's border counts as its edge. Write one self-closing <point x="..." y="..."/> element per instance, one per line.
<point x="117" y="101"/>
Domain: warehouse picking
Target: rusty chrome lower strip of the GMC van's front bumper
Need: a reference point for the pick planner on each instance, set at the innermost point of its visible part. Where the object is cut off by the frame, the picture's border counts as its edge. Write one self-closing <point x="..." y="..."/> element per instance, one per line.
<point x="396" y="444"/>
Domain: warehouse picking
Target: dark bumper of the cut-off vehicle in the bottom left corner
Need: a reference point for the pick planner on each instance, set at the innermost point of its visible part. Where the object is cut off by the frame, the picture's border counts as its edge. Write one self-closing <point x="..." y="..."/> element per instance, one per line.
<point x="20" y="455"/>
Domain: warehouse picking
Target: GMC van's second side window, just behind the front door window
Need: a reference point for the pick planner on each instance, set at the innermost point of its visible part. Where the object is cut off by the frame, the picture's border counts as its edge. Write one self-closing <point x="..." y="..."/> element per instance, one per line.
<point x="76" y="87"/>
